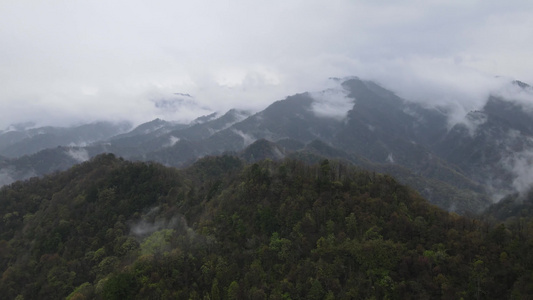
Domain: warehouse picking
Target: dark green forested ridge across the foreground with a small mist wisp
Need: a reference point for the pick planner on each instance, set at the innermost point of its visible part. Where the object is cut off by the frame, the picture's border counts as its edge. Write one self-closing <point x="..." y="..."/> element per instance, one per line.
<point x="226" y="229"/>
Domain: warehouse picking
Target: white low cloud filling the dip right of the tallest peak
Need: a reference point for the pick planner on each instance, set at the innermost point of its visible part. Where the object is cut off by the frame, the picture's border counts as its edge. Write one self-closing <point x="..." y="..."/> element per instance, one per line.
<point x="436" y="83"/>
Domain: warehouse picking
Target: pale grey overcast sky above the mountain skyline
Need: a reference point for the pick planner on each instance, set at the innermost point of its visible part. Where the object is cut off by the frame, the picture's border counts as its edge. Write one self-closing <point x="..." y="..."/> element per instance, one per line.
<point x="76" y="61"/>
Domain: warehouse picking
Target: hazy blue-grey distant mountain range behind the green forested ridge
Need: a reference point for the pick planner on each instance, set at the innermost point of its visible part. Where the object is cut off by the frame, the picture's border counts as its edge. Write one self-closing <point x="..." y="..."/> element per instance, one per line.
<point x="461" y="167"/>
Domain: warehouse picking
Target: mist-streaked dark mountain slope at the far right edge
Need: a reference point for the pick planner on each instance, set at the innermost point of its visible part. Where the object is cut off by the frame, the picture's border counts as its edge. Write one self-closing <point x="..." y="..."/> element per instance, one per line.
<point x="494" y="147"/>
